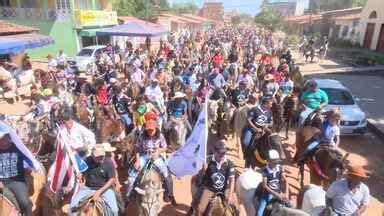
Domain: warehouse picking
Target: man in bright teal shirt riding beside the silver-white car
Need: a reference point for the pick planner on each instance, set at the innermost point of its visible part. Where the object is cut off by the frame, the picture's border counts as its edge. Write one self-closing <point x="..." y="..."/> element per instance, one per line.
<point x="313" y="98"/>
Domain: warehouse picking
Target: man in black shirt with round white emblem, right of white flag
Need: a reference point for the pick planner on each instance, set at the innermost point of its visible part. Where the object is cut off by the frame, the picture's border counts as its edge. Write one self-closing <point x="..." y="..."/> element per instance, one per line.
<point x="218" y="178"/>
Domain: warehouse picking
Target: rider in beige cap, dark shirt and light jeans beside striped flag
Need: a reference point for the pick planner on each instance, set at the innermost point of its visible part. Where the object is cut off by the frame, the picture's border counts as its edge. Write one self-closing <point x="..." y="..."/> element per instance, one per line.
<point x="99" y="181"/>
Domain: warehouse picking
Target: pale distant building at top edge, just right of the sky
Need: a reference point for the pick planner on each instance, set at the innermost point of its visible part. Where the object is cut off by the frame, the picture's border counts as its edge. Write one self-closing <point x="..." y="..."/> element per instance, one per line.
<point x="288" y="7"/>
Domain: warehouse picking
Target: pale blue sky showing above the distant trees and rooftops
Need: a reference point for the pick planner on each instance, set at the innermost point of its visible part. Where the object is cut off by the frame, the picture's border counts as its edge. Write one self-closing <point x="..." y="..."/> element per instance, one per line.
<point x="246" y="6"/>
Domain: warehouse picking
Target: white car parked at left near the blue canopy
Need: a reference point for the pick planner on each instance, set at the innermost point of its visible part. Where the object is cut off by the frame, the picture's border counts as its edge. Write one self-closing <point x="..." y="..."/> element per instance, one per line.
<point x="86" y="57"/>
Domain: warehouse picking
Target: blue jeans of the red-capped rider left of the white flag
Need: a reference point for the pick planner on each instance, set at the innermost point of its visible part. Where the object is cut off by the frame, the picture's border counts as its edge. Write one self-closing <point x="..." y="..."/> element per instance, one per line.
<point x="160" y="163"/>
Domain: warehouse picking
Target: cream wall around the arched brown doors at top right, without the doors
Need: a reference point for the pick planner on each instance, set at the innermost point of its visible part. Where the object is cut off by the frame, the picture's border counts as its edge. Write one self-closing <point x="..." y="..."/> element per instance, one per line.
<point x="372" y="5"/>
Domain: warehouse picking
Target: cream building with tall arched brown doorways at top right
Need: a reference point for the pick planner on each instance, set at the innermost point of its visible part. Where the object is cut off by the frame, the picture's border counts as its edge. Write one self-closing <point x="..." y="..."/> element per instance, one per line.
<point x="372" y="26"/>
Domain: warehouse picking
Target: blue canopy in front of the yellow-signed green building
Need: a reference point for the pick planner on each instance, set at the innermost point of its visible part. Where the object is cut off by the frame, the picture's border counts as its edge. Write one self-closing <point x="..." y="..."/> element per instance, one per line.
<point x="134" y="28"/>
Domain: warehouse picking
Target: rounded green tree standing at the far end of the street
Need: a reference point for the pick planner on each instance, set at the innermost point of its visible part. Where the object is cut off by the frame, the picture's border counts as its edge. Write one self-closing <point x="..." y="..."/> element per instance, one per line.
<point x="269" y="16"/>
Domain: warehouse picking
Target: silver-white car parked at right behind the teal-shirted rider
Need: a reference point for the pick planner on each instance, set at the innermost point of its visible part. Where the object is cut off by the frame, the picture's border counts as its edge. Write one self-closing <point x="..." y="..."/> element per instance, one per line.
<point x="353" y="119"/>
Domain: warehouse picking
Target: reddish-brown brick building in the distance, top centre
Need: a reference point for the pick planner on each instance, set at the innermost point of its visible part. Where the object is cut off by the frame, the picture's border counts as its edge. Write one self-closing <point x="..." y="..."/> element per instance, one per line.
<point x="213" y="11"/>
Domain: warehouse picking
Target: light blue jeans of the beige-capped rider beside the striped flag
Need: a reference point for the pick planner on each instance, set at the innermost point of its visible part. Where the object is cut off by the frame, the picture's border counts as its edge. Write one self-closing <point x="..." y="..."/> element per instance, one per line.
<point x="108" y="196"/>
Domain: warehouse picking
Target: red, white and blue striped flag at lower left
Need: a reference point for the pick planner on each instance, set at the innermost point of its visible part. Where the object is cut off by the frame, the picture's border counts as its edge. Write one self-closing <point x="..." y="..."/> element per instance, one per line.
<point x="66" y="165"/>
